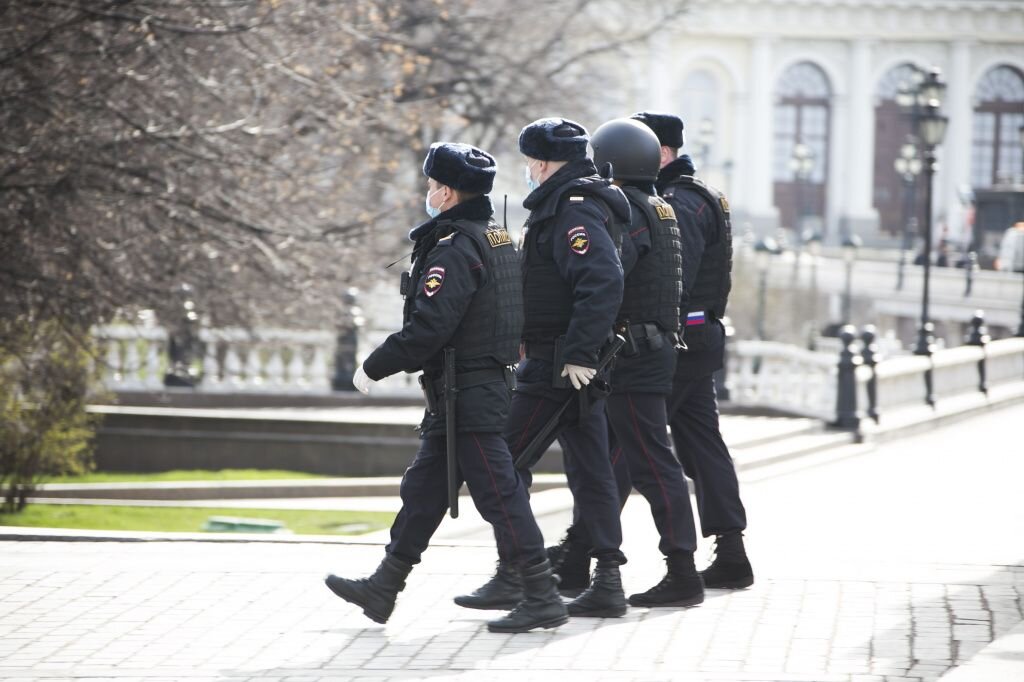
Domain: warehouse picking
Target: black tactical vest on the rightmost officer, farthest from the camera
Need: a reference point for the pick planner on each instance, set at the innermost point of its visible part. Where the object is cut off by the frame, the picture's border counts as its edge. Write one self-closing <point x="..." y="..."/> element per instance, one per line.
<point x="710" y="288"/>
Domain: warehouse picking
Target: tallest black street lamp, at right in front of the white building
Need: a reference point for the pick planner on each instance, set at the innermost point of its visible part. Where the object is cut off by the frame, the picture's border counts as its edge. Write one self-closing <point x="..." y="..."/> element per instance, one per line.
<point x="930" y="127"/>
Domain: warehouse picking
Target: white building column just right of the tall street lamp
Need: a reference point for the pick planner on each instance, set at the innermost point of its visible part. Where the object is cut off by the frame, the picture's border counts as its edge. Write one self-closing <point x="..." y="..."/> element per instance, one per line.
<point x="955" y="170"/>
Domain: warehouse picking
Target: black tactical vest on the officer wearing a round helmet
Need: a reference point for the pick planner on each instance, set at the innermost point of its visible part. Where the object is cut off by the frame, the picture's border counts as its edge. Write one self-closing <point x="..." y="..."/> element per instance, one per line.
<point x="655" y="286"/>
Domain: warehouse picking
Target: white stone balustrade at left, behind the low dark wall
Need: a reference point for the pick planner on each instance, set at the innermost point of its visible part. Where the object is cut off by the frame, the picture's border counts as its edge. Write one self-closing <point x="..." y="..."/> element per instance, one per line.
<point x="234" y="360"/>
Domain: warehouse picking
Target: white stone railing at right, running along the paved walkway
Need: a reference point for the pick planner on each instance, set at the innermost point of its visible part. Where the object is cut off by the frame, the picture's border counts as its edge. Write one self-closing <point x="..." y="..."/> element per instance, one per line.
<point x="767" y="374"/>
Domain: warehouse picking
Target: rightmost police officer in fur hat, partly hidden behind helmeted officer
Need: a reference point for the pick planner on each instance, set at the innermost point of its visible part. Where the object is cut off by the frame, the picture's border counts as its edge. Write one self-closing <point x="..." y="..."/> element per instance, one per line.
<point x="704" y="222"/>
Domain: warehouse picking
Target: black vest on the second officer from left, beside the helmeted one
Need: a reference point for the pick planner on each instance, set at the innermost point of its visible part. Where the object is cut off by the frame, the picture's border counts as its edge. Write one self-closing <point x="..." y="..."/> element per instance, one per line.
<point x="547" y="296"/>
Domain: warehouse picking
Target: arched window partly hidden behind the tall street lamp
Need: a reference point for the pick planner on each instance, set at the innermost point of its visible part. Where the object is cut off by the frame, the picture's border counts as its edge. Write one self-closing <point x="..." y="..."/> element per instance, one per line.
<point x="895" y="197"/>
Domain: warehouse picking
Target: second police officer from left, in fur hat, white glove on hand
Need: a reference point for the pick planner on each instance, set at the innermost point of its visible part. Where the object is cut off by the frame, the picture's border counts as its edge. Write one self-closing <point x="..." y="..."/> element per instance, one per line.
<point x="573" y="281"/>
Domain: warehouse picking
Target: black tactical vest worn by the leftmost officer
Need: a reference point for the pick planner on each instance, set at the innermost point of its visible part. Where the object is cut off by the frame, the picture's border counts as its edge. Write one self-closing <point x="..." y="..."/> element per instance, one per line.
<point x="492" y="326"/>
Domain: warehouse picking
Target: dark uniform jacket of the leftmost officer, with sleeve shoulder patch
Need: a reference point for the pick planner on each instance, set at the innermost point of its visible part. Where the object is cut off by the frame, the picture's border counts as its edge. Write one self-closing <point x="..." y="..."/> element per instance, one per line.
<point x="436" y="317"/>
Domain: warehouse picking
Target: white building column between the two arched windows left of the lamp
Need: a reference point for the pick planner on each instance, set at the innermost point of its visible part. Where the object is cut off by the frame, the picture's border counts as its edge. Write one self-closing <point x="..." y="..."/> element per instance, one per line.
<point x="859" y="214"/>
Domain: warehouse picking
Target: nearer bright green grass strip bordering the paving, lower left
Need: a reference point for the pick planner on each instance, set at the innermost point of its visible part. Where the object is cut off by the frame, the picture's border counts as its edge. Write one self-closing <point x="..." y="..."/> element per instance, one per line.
<point x="190" y="520"/>
